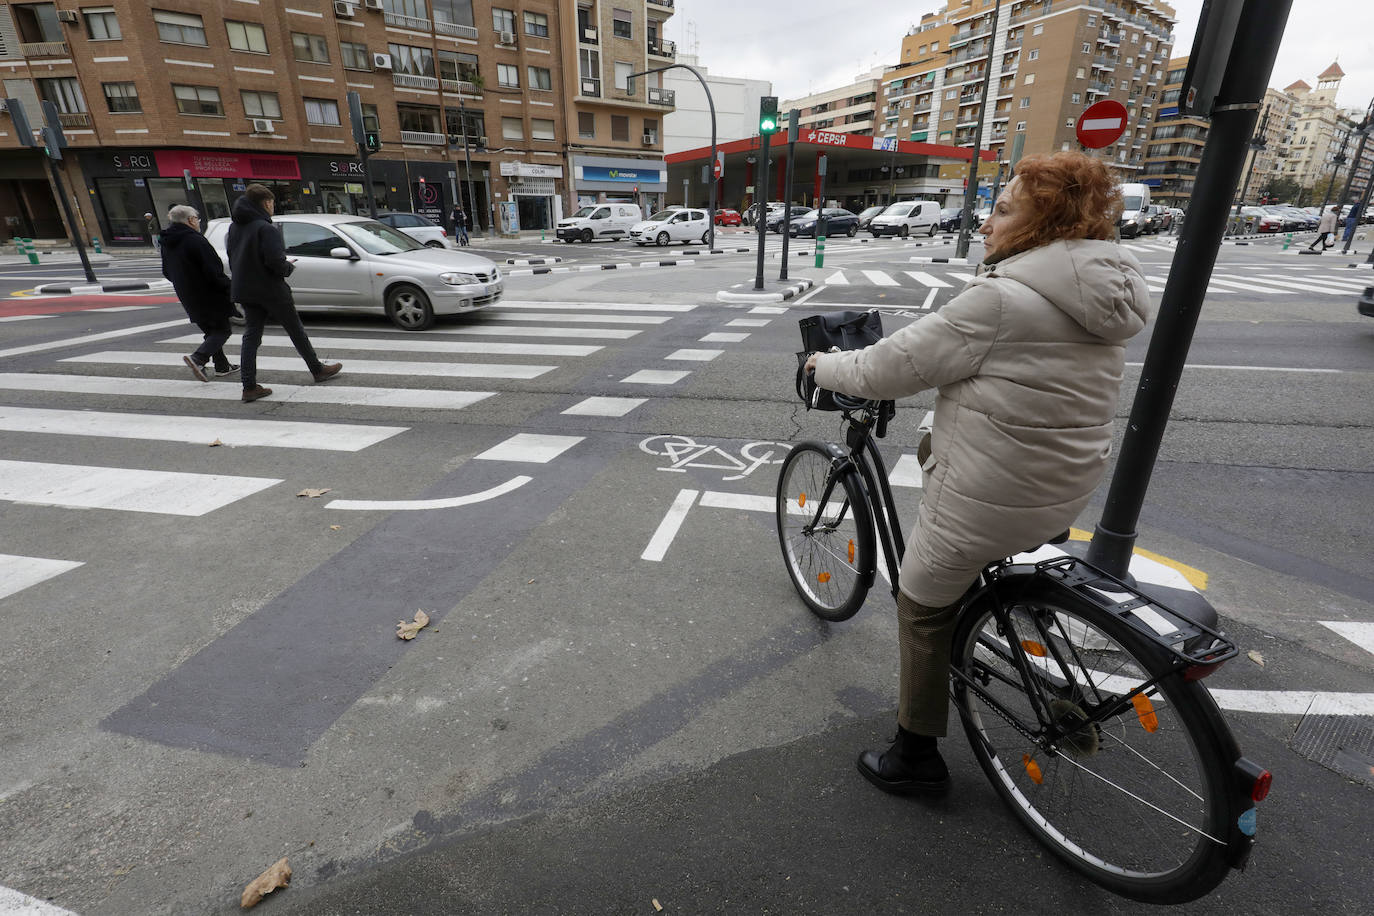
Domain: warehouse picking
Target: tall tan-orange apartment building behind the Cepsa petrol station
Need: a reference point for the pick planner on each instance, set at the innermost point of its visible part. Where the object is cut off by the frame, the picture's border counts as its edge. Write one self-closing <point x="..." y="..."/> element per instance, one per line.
<point x="1046" y="61"/>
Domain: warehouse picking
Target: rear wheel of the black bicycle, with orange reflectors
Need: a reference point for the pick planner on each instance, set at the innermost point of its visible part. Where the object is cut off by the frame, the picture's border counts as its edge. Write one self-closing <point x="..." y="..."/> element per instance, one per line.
<point x="1097" y="800"/>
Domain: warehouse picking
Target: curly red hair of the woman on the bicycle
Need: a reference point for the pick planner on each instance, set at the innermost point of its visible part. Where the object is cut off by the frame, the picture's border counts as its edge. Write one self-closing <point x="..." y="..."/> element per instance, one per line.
<point x="1070" y="196"/>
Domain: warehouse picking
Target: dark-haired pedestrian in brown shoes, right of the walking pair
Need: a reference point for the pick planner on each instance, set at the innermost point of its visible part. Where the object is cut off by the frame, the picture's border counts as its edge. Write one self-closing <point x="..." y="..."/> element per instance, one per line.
<point x="259" y="270"/>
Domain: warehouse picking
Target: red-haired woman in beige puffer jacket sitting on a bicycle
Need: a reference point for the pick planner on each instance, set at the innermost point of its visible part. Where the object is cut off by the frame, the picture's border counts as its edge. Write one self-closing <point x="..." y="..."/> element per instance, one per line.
<point x="1027" y="363"/>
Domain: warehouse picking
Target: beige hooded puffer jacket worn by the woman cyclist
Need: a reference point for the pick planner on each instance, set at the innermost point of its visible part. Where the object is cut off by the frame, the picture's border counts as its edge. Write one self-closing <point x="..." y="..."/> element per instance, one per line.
<point x="1028" y="365"/>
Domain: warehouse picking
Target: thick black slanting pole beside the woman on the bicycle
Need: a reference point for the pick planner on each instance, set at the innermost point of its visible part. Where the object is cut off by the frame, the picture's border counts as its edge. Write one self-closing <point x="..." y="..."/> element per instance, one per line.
<point x="1235" y="115"/>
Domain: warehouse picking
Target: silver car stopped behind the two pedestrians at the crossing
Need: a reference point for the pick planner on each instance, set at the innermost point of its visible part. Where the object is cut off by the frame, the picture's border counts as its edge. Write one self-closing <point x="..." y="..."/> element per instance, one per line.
<point x="354" y="264"/>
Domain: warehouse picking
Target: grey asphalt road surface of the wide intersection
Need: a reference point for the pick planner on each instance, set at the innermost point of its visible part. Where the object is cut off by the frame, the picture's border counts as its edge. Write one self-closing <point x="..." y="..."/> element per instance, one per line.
<point x="585" y="729"/>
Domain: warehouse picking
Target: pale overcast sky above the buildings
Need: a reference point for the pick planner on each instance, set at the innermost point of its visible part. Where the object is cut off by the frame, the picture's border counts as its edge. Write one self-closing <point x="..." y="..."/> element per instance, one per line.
<point x="809" y="46"/>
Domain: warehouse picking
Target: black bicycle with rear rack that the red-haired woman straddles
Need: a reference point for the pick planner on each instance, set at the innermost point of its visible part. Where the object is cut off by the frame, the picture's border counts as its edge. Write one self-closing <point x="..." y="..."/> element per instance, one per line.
<point x="1079" y="693"/>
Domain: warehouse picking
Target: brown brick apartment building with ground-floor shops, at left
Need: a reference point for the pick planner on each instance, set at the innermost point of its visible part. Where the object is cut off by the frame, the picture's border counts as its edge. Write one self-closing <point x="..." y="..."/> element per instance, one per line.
<point x="472" y="100"/>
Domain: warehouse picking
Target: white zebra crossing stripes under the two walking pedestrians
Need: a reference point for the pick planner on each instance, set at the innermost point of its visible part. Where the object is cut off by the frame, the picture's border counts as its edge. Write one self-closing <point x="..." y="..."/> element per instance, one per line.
<point x="510" y="343"/>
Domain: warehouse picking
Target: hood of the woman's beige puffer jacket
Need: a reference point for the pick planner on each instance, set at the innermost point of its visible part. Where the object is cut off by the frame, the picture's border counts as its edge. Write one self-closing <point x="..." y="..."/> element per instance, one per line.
<point x="1100" y="285"/>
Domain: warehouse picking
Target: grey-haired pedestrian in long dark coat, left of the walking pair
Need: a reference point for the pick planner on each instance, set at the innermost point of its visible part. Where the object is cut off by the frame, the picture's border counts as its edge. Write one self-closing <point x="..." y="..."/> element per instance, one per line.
<point x="199" y="278"/>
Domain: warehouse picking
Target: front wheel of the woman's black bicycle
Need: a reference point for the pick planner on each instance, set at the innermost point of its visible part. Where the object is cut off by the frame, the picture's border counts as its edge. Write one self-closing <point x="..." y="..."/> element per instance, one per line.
<point x="831" y="565"/>
